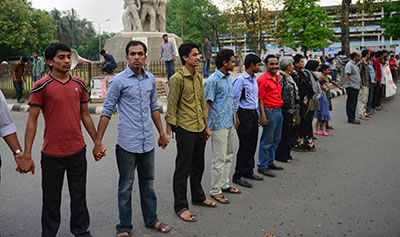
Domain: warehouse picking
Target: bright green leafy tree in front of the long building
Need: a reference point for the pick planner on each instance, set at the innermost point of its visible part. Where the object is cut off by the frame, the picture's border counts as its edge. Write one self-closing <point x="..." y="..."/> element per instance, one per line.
<point x="305" y="25"/>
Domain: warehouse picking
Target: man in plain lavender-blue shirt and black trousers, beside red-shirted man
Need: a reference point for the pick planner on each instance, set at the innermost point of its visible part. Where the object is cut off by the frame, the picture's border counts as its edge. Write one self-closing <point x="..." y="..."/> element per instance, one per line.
<point x="245" y="97"/>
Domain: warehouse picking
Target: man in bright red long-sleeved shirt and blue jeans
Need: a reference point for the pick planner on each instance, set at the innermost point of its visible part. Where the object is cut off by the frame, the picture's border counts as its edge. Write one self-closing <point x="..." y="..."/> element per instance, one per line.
<point x="270" y="99"/>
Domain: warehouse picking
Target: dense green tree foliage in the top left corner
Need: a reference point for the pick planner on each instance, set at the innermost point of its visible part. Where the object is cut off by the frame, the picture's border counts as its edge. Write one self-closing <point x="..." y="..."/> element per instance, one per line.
<point x="22" y="29"/>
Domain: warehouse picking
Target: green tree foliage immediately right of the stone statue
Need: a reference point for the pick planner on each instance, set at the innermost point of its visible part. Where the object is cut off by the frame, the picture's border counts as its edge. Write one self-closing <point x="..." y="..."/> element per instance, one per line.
<point x="195" y="19"/>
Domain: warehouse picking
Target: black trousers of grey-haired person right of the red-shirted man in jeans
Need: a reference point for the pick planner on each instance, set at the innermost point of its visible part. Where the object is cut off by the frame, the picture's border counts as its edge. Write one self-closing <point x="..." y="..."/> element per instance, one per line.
<point x="283" y="152"/>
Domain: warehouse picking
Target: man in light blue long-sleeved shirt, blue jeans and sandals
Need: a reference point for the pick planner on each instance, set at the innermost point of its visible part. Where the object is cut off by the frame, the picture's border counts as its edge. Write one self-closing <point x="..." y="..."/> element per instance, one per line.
<point x="134" y="91"/>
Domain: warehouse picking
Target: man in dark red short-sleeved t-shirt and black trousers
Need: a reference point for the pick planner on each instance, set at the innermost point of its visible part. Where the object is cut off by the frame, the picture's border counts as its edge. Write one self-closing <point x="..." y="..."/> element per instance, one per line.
<point x="63" y="101"/>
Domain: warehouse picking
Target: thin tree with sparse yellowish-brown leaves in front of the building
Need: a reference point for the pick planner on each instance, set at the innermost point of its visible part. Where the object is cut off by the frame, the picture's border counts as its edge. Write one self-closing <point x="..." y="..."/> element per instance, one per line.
<point x="257" y="22"/>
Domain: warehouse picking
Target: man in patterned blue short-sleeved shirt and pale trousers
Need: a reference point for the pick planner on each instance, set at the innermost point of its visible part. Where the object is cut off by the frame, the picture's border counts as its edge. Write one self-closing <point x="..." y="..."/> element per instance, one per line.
<point x="221" y="121"/>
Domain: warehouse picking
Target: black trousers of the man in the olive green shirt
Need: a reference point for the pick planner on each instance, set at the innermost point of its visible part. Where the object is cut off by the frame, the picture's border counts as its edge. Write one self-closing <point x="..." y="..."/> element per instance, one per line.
<point x="189" y="163"/>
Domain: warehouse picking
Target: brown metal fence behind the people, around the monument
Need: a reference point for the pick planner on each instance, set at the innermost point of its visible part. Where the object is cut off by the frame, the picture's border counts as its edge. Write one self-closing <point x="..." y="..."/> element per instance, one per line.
<point x="84" y="70"/>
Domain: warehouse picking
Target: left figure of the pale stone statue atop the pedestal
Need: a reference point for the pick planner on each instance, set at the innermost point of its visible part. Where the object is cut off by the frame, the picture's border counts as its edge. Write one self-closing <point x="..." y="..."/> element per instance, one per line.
<point x="130" y="18"/>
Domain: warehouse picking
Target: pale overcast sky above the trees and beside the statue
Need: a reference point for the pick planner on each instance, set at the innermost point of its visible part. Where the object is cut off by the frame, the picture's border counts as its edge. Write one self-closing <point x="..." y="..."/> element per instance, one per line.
<point x="100" y="10"/>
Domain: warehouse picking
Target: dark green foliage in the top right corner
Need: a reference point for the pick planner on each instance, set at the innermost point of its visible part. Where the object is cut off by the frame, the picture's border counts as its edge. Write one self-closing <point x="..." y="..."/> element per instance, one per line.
<point x="391" y="22"/>
